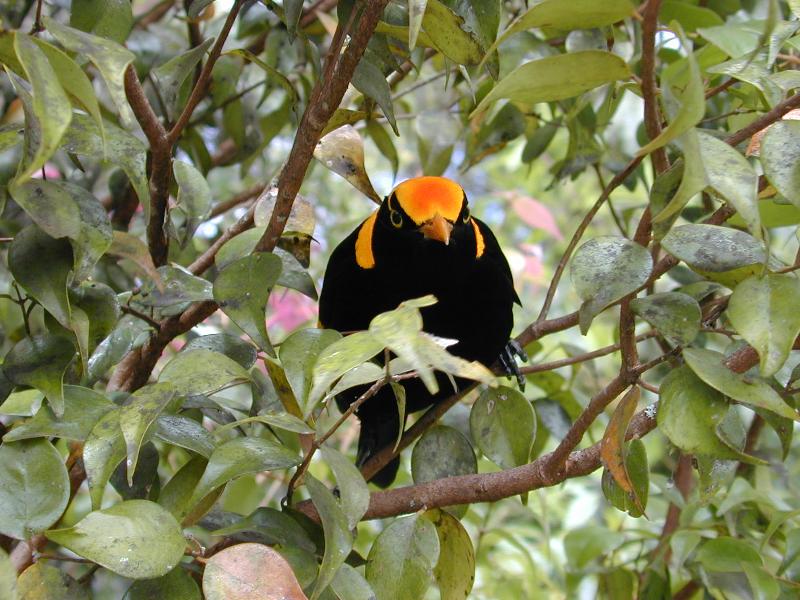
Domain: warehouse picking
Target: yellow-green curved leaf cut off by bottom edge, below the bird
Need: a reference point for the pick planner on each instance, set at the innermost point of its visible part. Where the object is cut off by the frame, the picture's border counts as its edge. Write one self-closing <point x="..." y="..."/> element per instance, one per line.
<point x="455" y="570"/>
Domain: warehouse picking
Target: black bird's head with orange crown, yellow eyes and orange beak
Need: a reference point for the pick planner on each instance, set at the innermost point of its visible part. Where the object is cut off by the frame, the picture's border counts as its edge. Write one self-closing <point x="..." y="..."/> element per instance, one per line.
<point x="433" y="206"/>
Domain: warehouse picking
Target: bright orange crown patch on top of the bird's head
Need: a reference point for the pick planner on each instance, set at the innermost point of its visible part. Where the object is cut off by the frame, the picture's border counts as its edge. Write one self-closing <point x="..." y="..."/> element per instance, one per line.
<point x="422" y="197"/>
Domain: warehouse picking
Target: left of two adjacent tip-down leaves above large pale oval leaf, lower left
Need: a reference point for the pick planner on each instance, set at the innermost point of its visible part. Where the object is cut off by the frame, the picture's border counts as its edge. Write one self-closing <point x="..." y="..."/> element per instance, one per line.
<point x="103" y="451"/>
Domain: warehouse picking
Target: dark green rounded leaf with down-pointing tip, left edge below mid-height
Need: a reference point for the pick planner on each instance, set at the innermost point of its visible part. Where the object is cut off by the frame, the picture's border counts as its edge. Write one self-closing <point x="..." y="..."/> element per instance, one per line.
<point x="40" y="362"/>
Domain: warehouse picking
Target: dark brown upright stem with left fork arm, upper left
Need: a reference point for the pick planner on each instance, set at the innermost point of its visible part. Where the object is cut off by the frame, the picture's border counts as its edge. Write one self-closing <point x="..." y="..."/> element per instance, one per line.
<point x="160" y="165"/>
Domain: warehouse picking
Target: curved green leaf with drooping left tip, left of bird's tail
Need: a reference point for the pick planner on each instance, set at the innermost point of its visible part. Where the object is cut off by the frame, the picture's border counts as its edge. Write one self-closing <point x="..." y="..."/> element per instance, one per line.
<point x="241" y="456"/>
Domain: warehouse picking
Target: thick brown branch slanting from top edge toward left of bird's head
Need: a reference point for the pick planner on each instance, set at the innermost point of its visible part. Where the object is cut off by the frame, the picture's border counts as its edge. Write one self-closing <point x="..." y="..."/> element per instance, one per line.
<point x="325" y="99"/>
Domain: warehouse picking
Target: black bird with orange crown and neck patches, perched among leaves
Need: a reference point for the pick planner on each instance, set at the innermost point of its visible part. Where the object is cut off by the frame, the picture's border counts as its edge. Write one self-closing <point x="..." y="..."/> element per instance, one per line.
<point x="421" y="240"/>
